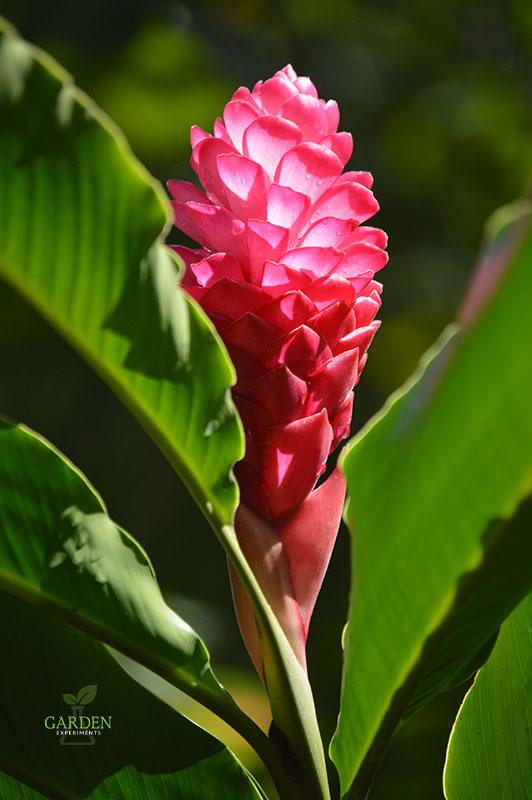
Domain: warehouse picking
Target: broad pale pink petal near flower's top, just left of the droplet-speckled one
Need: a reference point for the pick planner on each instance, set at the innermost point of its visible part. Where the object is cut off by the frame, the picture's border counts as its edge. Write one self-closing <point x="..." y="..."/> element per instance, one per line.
<point x="268" y="138"/>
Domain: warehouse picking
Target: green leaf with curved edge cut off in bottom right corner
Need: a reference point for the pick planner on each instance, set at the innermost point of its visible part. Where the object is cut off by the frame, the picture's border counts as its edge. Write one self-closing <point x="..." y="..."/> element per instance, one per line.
<point x="490" y="750"/>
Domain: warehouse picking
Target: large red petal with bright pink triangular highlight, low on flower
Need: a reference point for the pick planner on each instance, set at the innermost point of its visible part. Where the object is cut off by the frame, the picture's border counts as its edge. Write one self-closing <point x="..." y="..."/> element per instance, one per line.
<point x="294" y="456"/>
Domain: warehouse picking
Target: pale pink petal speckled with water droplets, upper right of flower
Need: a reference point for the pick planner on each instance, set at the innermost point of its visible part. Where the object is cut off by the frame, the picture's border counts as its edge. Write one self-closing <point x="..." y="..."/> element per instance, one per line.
<point x="308" y="168"/>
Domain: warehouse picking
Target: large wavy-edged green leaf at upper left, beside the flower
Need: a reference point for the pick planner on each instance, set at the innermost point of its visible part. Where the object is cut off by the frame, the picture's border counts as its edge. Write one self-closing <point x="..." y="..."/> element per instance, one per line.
<point x="81" y="227"/>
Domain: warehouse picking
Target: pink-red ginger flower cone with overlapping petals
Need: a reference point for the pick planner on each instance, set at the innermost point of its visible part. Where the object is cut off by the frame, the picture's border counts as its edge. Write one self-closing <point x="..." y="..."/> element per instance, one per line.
<point x="285" y="272"/>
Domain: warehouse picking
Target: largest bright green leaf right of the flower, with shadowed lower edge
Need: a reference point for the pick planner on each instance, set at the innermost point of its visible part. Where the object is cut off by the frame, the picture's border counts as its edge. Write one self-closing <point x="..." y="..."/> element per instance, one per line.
<point x="432" y="482"/>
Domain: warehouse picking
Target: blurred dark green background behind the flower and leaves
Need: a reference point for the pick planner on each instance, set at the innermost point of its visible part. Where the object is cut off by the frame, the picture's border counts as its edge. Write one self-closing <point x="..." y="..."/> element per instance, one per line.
<point x="439" y="99"/>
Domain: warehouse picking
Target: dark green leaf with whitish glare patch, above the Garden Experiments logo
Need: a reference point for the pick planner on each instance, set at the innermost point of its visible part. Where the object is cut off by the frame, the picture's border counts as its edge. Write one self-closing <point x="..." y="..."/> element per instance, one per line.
<point x="60" y="550"/>
